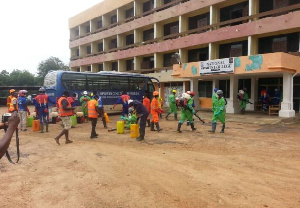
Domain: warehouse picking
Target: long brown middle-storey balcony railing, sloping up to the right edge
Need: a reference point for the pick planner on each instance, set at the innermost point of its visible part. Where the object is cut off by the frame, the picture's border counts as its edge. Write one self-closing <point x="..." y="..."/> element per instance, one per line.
<point x="274" y="12"/>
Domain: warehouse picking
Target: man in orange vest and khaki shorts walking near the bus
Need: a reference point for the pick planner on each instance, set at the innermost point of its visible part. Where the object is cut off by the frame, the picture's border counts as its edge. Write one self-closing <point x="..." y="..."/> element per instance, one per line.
<point x="65" y="113"/>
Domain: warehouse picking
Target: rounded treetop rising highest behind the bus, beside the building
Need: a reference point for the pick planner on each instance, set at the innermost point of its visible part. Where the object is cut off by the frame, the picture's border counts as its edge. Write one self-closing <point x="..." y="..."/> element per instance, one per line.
<point x="51" y="64"/>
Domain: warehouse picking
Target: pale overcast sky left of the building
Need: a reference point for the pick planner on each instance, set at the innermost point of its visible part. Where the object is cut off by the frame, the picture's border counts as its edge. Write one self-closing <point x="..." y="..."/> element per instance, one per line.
<point x="34" y="30"/>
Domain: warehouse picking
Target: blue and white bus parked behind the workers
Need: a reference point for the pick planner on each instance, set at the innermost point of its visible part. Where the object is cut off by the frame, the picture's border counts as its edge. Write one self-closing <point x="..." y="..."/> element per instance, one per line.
<point x="108" y="85"/>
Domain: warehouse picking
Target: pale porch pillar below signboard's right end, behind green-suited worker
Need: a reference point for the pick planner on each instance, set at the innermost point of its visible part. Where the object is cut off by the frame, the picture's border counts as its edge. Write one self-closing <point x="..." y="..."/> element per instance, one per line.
<point x="232" y="103"/>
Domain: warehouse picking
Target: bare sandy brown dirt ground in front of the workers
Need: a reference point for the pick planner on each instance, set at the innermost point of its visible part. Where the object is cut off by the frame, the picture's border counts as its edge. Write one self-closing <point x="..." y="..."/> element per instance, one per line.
<point x="251" y="165"/>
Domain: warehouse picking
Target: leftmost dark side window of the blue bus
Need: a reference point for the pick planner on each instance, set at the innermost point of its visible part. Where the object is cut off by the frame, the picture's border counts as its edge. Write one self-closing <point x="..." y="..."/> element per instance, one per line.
<point x="73" y="81"/>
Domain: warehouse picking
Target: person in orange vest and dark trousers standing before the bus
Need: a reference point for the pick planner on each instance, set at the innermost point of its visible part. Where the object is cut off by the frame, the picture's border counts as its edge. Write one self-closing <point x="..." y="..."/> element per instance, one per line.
<point x="93" y="111"/>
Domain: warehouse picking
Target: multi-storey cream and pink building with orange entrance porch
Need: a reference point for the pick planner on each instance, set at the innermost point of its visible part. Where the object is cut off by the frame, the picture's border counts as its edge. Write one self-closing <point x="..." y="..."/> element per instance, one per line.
<point x="150" y="36"/>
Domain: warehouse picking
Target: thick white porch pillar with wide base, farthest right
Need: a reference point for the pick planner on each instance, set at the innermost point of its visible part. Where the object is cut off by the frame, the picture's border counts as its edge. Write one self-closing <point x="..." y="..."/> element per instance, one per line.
<point x="287" y="108"/>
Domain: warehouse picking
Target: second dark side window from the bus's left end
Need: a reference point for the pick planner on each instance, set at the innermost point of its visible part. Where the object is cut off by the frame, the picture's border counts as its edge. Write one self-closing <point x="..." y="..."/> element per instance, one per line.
<point x="97" y="82"/>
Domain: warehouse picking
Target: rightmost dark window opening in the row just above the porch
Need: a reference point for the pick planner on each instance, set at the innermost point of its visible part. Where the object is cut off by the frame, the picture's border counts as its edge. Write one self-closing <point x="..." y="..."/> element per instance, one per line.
<point x="279" y="43"/>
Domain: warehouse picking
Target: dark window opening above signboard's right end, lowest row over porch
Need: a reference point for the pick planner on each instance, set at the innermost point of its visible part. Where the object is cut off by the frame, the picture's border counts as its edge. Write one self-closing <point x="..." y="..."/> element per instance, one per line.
<point x="233" y="49"/>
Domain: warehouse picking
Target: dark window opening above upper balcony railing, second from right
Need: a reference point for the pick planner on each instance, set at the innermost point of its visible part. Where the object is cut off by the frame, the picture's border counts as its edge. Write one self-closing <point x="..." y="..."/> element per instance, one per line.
<point x="234" y="12"/>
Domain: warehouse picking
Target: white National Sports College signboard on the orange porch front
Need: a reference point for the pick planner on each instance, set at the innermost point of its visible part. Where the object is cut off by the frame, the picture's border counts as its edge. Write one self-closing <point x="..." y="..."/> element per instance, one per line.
<point x="217" y="66"/>
